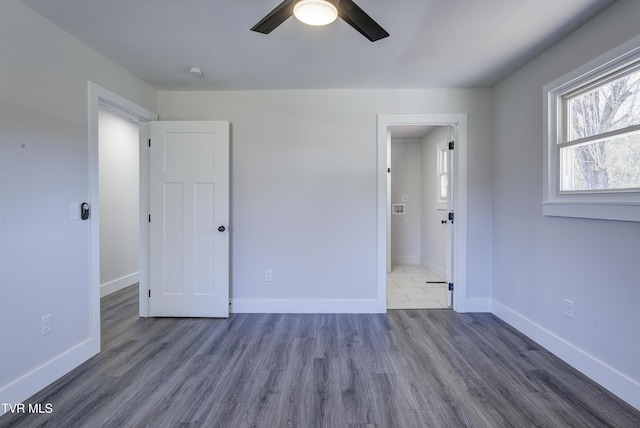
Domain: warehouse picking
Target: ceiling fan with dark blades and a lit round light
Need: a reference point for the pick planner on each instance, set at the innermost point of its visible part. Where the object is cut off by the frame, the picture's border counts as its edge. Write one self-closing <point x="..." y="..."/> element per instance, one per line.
<point x="329" y="9"/>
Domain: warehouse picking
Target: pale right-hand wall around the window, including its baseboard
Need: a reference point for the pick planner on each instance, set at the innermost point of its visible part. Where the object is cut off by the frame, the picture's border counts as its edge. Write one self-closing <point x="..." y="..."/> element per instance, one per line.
<point x="538" y="261"/>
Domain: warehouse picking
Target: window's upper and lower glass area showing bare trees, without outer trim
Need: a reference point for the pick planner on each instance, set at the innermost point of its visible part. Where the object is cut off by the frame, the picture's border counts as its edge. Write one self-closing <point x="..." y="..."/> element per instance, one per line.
<point x="601" y="149"/>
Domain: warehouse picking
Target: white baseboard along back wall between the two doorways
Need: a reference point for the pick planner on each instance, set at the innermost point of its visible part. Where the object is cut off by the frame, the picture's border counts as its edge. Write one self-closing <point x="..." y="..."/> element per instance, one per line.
<point x="308" y="306"/>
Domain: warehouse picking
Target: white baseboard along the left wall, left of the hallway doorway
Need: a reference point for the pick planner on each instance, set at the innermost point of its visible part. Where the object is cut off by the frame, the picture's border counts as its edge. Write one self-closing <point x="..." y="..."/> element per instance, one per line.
<point x="25" y="386"/>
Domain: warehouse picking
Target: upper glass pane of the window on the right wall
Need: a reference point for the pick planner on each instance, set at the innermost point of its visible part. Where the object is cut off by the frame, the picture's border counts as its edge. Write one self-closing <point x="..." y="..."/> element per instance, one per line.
<point x="609" y="107"/>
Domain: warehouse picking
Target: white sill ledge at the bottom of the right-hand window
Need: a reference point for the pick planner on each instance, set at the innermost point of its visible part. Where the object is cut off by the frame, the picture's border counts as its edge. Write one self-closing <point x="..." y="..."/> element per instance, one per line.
<point x="622" y="211"/>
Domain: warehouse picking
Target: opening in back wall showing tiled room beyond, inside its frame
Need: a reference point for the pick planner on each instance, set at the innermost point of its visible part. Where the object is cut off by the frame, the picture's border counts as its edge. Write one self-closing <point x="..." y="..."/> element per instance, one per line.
<point x="420" y="232"/>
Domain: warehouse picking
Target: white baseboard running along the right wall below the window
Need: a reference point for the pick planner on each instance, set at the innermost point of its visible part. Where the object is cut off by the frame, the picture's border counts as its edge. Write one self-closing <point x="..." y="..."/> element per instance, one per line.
<point x="618" y="383"/>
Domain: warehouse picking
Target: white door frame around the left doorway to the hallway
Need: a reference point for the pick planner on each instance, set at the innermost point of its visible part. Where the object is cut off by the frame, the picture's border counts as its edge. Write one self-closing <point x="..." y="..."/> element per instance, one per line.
<point x="99" y="96"/>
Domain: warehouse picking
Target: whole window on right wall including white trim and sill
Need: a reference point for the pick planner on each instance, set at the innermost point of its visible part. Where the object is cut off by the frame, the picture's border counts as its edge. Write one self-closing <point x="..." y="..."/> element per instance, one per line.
<point x="593" y="142"/>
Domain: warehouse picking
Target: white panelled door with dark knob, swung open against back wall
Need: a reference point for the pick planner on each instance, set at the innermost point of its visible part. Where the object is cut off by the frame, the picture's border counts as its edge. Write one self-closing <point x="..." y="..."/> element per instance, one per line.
<point x="188" y="239"/>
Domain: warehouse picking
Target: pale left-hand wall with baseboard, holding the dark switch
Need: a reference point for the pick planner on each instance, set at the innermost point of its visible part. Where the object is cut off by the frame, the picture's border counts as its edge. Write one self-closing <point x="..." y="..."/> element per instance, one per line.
<point x="44" y="257"/>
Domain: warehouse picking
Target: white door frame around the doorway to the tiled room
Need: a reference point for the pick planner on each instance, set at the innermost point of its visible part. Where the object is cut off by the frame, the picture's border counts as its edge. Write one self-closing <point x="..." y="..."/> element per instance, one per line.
<point x="459" y="157"/>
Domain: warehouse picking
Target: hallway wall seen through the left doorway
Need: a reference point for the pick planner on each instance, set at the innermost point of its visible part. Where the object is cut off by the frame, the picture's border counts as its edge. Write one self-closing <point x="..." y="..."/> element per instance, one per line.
<point x="119" y="201"/>
